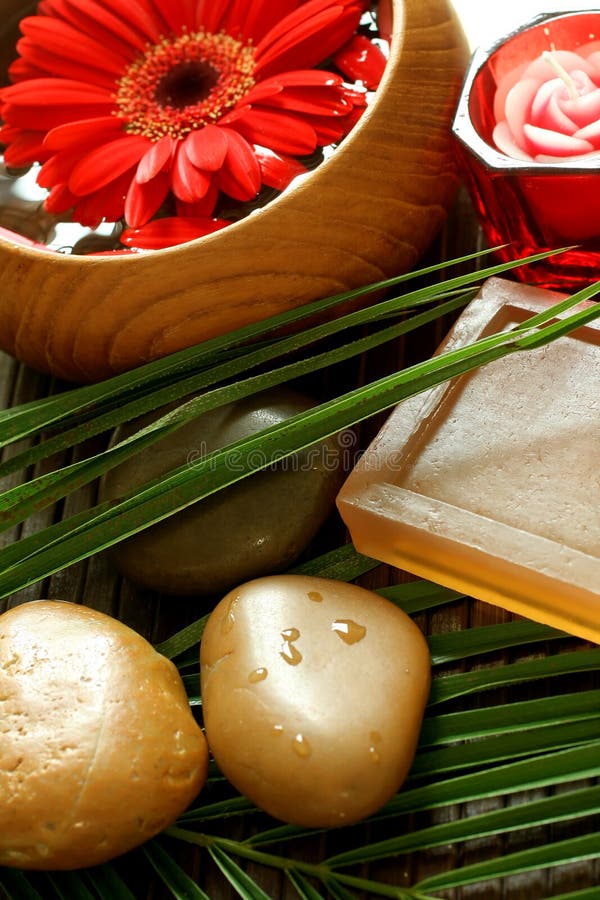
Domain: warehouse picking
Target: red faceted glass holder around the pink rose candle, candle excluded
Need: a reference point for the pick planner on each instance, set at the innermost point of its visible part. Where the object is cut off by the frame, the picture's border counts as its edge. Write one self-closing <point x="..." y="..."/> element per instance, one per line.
<point x="526" y="205"/>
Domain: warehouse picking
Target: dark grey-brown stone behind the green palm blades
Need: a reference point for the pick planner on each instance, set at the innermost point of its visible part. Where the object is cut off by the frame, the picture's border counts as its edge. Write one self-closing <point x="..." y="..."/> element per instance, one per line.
<point x="259" y="525"/>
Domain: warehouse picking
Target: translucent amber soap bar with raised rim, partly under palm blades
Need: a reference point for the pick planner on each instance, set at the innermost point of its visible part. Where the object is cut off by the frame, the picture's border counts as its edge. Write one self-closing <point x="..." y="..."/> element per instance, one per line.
<point x="490" y="483"/>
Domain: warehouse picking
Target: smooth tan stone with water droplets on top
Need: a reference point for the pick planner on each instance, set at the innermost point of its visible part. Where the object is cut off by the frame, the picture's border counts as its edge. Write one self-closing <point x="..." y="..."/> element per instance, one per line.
<point x="313" y="696"/>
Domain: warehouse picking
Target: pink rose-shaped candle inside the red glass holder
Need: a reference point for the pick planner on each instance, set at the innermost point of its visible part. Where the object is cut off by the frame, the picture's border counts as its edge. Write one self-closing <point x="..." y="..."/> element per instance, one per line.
<point x="548" y="110"/>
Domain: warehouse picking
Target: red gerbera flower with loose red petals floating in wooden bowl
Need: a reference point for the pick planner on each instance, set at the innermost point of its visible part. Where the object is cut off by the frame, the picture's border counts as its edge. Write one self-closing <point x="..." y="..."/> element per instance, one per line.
<point x="127" y="104"/>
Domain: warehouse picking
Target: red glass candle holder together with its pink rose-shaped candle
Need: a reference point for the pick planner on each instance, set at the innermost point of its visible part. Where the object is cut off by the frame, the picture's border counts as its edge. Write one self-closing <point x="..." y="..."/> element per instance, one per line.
<point x="527" y="140"/>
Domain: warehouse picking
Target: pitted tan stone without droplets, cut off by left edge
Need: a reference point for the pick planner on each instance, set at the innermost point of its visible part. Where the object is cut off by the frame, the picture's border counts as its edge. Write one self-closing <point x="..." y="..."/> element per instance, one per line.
<point x="99" y="750"/>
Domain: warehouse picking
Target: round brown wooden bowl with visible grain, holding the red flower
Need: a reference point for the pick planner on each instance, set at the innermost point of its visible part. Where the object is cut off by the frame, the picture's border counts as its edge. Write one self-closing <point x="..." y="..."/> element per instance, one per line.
<point x="366" y="213"/>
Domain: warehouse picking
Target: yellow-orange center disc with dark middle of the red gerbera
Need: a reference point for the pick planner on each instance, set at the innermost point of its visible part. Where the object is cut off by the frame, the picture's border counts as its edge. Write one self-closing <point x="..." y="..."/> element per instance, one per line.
<point x="184" y="83"/>
